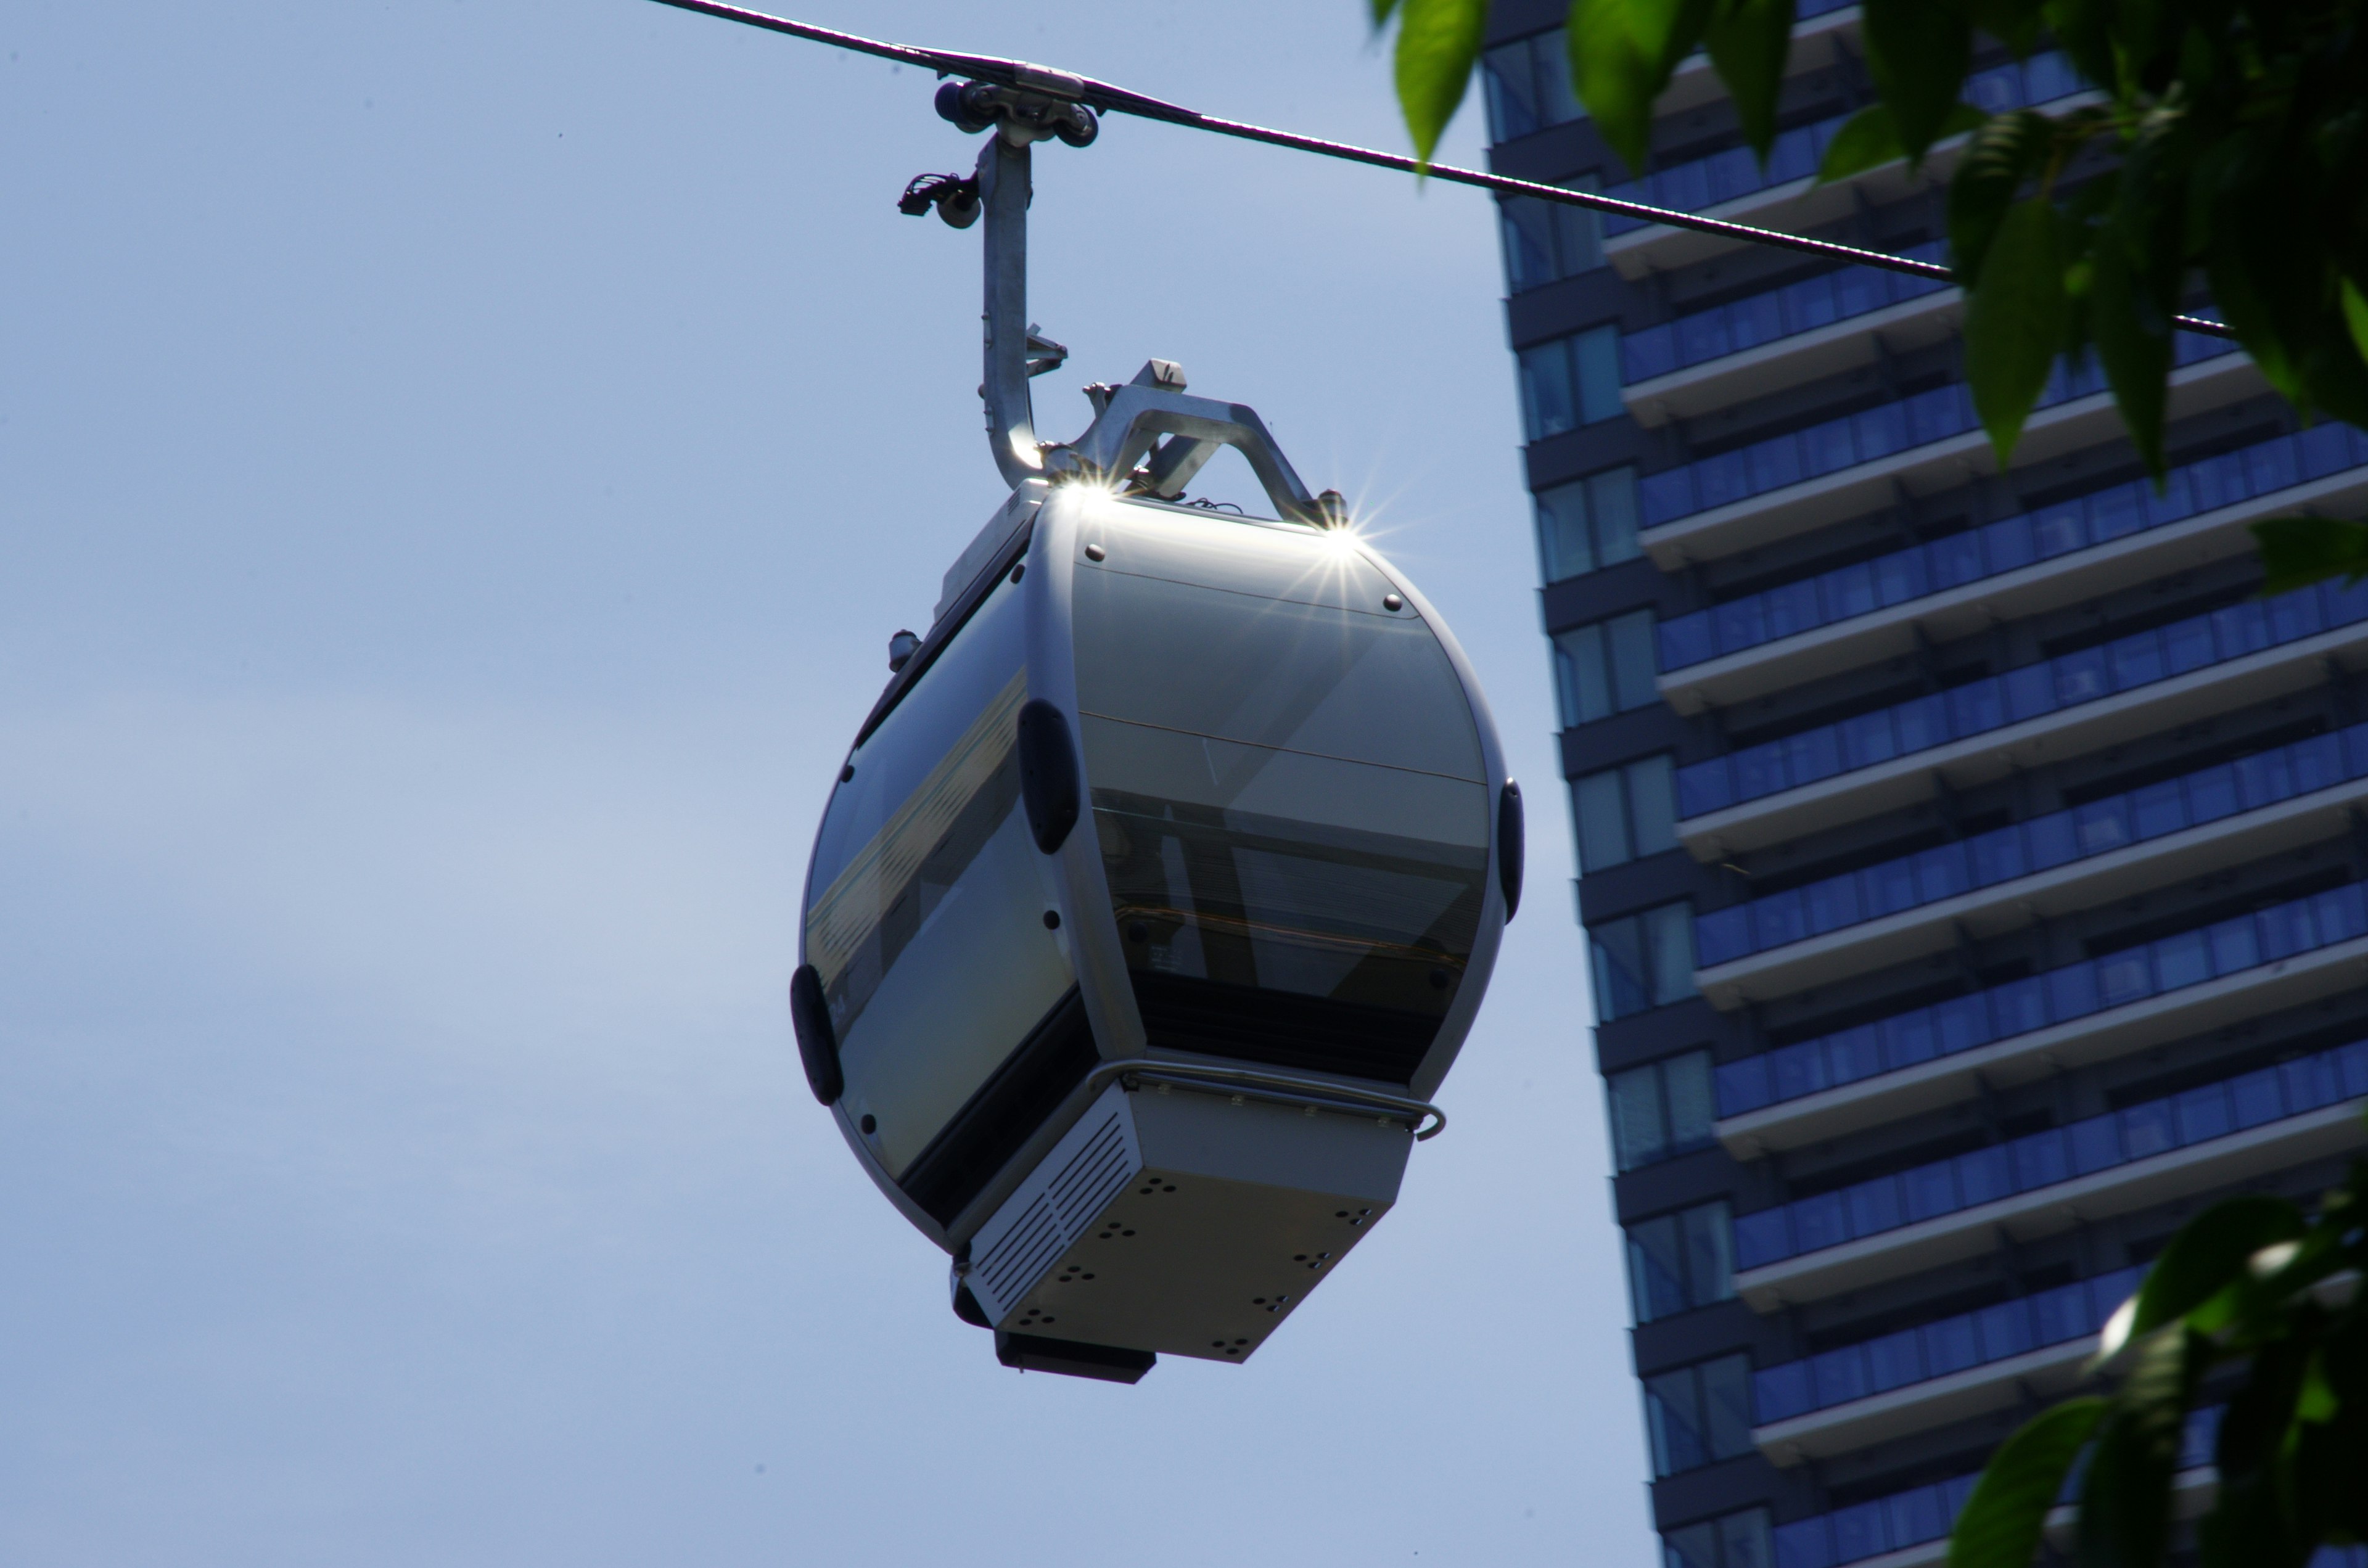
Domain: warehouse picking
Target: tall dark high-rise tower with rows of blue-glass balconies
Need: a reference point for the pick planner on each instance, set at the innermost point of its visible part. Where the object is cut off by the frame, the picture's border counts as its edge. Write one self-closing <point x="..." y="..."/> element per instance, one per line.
<point x="1971" y="863"/>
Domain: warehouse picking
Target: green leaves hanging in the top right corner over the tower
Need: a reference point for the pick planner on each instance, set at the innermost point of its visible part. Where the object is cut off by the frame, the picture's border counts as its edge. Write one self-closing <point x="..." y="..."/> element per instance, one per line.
<point x="2227" y="141"/>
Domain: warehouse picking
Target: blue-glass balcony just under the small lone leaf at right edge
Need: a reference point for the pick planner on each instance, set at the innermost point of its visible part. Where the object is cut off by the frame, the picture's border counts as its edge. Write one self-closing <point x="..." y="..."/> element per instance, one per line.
<point x="2026" y="719"/>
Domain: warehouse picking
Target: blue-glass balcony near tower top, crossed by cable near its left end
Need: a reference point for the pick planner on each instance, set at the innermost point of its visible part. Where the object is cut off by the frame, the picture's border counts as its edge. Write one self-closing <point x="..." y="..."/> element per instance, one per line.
<point x="1787" y="193"/>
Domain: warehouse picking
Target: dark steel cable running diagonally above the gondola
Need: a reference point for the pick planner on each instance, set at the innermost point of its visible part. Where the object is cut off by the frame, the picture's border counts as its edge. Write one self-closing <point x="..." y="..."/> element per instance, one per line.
<point x="1119" y="101"/>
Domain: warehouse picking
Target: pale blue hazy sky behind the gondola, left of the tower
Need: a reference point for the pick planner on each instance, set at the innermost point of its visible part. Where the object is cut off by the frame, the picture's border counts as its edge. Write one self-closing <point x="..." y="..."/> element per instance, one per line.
<point x="461" y="465"/>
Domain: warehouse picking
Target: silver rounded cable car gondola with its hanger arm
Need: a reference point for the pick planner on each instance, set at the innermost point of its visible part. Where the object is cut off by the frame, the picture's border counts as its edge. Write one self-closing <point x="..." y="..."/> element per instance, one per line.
<point x="1166" y="875"/>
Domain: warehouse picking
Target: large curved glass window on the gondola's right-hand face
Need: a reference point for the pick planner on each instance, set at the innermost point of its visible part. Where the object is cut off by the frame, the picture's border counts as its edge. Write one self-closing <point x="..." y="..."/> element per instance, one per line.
<point x="1292" y="814"/>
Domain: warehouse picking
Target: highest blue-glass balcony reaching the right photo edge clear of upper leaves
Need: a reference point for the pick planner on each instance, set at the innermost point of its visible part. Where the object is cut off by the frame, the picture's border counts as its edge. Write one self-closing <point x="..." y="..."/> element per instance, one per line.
<point x="2012" y="570"/>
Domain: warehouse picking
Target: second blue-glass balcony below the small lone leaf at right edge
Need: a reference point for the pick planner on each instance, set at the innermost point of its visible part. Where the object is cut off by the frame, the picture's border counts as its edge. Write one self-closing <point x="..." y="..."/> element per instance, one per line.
<point x="2045" y="868"/>
